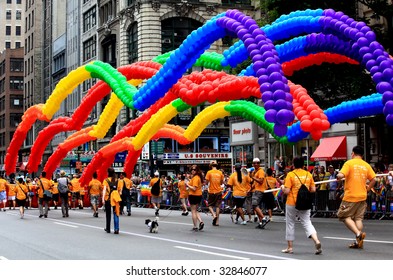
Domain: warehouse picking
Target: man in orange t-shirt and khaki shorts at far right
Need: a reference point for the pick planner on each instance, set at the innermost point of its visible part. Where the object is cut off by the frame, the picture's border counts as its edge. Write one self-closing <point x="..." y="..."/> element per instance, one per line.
<point x="353" y="205"/>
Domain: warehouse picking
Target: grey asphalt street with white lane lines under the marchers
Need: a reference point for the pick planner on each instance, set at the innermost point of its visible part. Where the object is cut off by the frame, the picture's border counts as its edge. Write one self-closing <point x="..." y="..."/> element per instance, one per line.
<point x="81" y="237"/>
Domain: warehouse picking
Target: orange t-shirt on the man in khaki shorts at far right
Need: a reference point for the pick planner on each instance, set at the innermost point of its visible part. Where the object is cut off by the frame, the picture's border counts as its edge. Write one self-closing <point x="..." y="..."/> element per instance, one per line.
<point x="356" y="172"/>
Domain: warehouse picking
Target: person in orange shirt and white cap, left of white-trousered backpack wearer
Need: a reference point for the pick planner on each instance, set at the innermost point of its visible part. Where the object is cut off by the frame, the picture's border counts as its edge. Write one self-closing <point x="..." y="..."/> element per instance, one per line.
<point x="258" y="186"/>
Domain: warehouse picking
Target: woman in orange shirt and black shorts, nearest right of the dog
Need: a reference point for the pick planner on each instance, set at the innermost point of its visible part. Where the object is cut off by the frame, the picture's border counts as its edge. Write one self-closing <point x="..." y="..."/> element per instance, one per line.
<point x="195" y="196"/>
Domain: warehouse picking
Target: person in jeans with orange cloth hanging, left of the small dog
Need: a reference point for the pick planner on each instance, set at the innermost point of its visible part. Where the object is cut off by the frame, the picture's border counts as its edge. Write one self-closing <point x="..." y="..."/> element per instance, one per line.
<point x="111" y="199"/>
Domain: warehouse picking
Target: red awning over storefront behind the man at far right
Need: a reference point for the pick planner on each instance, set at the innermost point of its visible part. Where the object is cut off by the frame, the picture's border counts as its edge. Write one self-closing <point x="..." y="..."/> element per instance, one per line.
<point x="333" y="148"/>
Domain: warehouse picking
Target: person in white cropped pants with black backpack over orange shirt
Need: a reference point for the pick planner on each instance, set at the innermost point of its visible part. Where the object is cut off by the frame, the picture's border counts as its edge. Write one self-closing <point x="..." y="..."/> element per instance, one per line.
<point x="293" y="181"/>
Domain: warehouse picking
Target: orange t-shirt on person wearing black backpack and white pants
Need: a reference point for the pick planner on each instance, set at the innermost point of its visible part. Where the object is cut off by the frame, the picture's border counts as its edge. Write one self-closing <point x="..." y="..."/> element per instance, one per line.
<point x="293" y="183"/>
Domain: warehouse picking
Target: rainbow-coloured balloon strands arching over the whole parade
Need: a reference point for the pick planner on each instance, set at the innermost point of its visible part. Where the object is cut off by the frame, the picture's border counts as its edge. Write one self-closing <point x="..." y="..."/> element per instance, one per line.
<point x="289" y="113"/>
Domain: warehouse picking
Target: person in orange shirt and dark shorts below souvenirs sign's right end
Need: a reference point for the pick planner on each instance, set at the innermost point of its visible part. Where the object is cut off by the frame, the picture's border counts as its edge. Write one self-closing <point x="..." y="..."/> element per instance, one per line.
<point x="215" y="178"/>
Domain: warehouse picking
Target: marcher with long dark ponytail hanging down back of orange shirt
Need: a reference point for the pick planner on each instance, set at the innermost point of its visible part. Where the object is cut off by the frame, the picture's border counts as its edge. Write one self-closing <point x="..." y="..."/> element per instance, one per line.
<point x="239" y="181"/>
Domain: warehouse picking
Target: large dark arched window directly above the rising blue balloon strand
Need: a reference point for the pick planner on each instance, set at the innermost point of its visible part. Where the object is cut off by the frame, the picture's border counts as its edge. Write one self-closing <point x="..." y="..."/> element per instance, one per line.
<point x="175" y="30"/>
